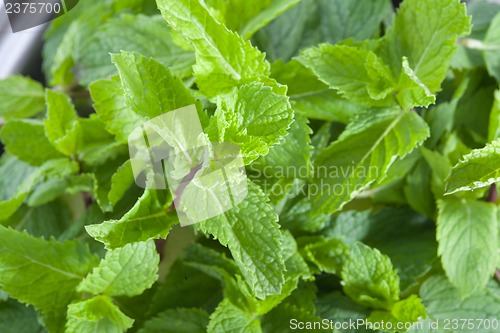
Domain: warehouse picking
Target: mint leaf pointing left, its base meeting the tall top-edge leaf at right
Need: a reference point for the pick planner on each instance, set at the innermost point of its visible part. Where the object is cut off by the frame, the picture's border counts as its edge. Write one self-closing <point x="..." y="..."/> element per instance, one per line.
<point x="358" y="74"/>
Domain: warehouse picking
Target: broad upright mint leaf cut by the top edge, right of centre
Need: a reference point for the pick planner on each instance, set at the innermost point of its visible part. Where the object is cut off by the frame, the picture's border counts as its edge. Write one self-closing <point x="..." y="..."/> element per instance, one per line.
<point x="425" y="31"/>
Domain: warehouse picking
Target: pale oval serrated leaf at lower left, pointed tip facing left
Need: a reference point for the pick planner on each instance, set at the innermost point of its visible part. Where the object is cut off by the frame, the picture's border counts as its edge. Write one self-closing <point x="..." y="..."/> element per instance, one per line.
<point x="126" y="271"/>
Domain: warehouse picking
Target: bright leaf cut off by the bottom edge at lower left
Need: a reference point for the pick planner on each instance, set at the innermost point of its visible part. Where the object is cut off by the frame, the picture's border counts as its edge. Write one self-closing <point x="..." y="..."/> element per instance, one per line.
<point x="97" y="314"/>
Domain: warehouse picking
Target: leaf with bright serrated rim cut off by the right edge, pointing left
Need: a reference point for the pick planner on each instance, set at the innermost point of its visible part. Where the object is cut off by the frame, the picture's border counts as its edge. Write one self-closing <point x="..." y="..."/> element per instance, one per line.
<point x="478" y="169"/>
